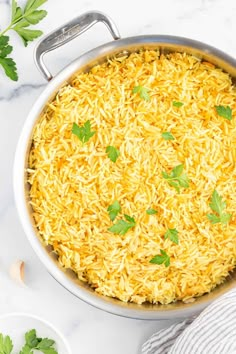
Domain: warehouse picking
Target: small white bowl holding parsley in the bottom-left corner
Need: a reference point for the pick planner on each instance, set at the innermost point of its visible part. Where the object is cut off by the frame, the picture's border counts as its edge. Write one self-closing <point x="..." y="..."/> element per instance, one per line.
<point x="17" y="324"/>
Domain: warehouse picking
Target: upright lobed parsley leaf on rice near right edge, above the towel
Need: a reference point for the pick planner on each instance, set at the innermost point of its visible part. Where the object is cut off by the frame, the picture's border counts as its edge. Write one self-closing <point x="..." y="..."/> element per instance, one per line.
<point x="217" y="205"/>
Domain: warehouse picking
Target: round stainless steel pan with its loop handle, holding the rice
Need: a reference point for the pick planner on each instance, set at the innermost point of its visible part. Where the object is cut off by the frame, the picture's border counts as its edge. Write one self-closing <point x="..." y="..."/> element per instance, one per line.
<point x="57" y="38"/>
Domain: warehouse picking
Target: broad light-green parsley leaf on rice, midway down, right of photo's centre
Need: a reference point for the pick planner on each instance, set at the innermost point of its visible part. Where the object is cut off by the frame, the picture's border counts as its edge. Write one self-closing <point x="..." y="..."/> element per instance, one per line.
<point x="177" y="178"/>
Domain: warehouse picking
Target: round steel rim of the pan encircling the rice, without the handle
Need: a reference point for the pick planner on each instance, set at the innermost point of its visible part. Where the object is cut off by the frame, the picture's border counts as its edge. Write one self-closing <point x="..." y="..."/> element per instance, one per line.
<point x="116" y="307"/>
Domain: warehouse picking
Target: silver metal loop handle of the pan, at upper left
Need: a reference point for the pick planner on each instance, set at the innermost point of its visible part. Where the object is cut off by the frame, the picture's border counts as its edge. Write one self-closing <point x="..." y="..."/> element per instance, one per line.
<point x="66" y="33"/>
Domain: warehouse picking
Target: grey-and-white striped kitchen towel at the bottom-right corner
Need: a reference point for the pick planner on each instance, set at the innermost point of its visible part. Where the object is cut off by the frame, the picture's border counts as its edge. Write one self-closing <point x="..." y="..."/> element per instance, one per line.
<point x="213" y="331"/>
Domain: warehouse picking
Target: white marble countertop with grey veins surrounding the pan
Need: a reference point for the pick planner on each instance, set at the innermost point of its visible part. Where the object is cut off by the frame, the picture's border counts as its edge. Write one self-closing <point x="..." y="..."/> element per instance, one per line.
<point x="87" y="329"/>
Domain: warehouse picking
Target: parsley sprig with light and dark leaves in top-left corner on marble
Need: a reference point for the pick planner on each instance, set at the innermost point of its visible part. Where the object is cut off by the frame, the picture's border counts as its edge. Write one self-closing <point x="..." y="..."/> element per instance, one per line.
<point x="21" y="19"/>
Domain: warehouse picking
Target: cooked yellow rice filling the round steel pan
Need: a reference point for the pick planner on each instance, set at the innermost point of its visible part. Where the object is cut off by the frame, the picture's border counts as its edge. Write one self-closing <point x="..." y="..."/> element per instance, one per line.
<point x="73" y="184"/>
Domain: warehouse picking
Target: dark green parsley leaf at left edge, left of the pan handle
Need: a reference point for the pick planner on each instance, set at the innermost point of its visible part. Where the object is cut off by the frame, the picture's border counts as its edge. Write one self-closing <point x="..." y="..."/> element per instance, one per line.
<point x="8" y="64"/>
